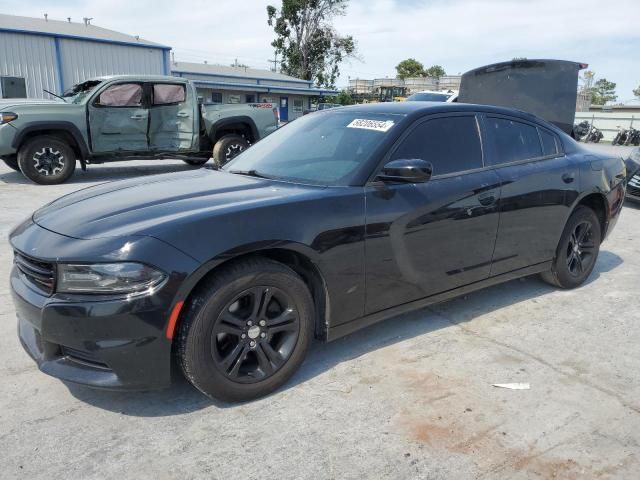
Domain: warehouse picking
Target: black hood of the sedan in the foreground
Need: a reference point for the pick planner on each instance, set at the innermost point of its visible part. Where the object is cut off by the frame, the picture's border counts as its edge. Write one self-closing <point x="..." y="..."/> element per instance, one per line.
<point x="144" y="206"/>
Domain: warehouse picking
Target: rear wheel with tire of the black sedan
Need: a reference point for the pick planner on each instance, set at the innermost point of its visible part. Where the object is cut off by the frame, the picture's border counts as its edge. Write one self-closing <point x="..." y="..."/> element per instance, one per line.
<point x="577" y="250"/>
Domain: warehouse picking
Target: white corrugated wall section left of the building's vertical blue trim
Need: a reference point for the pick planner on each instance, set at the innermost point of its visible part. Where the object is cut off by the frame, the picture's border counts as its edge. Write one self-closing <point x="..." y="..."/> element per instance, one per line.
<point x="32" y="57"/>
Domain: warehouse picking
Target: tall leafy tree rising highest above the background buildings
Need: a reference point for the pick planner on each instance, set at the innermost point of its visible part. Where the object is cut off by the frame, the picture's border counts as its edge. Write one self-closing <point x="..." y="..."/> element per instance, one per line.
<point x="310" y="46"/>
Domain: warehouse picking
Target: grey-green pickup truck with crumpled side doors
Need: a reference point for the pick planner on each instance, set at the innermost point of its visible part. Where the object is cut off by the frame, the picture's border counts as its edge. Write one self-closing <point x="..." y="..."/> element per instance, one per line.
<point x="125" y="117"/>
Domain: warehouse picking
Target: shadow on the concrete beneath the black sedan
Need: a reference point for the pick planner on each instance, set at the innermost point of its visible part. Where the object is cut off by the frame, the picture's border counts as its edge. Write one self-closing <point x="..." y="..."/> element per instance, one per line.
<point x="182" y="398"/>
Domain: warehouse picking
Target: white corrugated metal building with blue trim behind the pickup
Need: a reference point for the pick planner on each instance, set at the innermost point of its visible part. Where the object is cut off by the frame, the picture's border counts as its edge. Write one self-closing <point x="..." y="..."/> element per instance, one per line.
<point x="53" y="55"/>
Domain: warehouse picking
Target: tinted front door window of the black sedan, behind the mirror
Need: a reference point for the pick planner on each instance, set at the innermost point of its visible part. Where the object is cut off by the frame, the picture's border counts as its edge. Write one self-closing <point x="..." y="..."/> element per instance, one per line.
<point x="451" y="144"/>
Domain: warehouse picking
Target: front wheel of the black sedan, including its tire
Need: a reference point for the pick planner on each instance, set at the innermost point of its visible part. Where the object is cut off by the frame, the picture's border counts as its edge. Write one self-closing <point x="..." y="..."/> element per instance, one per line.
<point x="246" y="331"/>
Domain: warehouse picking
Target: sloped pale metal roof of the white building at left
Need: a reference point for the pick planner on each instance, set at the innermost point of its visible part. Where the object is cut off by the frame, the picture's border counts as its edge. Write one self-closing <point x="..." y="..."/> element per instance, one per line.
<point x="66" y="29"/>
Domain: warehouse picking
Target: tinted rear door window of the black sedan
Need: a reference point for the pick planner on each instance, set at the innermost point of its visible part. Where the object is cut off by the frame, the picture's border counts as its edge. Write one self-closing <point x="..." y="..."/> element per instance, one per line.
<point x="512" y="141"/>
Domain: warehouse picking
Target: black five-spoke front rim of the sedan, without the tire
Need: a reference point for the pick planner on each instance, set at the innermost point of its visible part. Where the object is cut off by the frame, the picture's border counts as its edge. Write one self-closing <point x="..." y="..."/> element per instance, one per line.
<point x="255" y="334"/>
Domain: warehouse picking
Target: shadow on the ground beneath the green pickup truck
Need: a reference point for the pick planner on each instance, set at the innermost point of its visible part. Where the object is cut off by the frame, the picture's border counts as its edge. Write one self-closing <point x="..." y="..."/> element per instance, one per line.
<point x="106" y="172"/>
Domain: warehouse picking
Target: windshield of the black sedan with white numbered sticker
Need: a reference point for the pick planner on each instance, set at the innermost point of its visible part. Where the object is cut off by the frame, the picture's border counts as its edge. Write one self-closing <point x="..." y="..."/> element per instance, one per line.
<point x="324" y="148"/>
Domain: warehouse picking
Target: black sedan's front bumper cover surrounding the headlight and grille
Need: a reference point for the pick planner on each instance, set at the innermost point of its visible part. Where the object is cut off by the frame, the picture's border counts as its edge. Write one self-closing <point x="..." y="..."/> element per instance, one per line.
<point x="98" y="341"/>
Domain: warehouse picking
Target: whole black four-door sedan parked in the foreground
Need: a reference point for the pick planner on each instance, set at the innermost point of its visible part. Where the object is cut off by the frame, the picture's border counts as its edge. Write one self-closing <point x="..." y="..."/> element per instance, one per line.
<point x="340" y="219"/>
